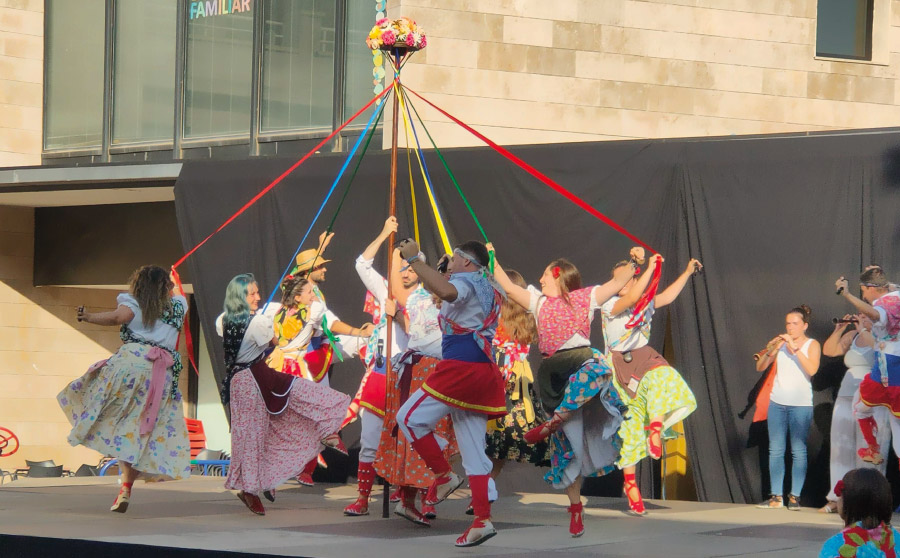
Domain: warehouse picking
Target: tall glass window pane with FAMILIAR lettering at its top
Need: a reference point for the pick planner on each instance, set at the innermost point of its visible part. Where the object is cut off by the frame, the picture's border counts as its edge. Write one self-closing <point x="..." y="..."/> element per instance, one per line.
<point x="218" y="68"/>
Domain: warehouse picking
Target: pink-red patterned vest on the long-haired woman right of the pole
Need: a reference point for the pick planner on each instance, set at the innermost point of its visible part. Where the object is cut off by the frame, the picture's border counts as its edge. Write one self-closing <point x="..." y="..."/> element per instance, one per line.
<point x="558" y="321"/>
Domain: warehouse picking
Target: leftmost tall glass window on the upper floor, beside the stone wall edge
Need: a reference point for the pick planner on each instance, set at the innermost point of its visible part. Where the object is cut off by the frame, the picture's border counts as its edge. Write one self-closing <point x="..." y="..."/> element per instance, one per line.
<point x="74" y="73"/>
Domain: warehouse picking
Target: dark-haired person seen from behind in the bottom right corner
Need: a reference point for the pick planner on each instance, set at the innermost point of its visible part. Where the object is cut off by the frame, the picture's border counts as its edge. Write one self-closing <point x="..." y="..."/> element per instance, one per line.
<point x="865" y="506"/>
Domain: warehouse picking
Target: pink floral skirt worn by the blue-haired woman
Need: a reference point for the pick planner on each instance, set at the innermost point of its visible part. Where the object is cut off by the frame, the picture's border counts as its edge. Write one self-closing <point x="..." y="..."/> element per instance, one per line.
<point x="267" y="449"/>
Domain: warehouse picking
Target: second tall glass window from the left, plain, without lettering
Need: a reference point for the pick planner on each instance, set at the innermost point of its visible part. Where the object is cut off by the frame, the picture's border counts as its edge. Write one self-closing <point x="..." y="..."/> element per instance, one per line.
<point x="144" y="87"/>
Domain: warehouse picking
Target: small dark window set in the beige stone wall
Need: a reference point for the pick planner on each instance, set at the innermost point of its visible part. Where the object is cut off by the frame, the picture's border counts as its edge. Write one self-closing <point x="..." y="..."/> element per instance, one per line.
<point x="844" y="29"/>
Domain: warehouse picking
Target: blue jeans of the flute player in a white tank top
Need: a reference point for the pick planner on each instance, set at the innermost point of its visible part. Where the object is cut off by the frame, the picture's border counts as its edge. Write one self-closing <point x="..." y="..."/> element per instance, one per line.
<point x="784" y="420"/>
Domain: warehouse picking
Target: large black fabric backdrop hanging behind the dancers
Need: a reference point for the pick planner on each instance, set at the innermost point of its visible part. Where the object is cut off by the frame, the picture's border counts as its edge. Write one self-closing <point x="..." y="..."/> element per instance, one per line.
<point x="775" y="220"/>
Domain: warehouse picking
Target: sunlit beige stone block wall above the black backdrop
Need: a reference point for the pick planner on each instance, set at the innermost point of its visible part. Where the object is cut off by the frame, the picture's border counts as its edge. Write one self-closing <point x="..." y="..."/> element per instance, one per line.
<point x="531" y="71"/>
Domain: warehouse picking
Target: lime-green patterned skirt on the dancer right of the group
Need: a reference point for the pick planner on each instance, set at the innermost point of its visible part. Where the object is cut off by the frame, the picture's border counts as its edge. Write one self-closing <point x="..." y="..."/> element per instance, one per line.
<point x="661" y="393"/>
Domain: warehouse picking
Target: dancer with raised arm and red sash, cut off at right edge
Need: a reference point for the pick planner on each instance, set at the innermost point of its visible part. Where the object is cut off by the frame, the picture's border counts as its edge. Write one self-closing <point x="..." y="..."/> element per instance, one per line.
<point x="881" y="388"/>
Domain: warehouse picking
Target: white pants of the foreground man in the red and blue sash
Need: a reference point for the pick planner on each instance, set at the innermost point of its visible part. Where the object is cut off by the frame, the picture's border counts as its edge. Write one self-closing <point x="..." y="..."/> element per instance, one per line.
<point x="421" y="413"/>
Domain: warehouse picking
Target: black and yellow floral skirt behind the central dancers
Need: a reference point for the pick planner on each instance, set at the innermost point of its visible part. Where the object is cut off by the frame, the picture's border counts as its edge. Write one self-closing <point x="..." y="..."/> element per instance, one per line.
<point x="505" y="437"/>
